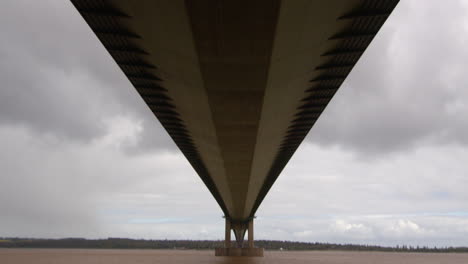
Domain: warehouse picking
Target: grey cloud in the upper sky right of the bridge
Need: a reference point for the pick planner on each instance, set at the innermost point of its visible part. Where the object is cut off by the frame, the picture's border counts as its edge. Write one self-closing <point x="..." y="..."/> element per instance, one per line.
<point x="408" y="88"/>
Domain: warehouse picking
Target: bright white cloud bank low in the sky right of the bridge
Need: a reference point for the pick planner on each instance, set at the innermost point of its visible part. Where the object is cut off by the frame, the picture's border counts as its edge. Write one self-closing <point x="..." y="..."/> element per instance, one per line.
<point x="331" y="194"/>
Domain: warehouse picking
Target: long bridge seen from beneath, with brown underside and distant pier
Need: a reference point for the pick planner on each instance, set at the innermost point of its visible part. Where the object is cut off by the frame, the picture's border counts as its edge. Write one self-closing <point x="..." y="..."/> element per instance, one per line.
<point x="237" y="84"/>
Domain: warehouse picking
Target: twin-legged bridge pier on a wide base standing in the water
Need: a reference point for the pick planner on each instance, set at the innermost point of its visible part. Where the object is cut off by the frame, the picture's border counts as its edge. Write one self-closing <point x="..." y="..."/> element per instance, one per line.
<point x="239" y="228"/>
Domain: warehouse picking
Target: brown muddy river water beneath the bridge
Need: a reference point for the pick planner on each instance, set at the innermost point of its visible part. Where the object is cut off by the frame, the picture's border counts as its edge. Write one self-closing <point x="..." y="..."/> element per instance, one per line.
<point x="117" y="256"/>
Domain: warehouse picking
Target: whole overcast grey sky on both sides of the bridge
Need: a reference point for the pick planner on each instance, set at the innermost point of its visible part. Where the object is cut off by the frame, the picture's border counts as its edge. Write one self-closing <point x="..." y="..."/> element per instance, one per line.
<point x="82" y="156"/>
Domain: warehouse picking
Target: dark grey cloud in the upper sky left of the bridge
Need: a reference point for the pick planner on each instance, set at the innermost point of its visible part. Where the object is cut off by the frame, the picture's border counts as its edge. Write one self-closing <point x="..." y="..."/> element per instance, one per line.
<point x="58" y="79"/>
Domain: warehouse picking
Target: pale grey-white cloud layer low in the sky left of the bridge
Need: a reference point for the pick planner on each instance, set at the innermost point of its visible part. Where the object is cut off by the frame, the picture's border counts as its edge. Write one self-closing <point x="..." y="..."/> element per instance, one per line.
<point x="53" y="189"/>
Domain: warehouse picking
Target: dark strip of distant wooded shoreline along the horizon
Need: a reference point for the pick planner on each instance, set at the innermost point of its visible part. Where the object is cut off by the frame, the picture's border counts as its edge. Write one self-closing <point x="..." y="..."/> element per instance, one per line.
<point x="125" y="243"/>
